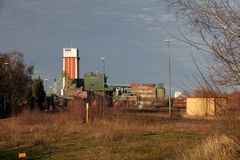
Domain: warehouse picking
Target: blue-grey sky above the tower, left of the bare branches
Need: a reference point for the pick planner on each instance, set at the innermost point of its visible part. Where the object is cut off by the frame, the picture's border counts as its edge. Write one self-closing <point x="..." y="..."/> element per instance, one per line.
<point x="128" y="33"/>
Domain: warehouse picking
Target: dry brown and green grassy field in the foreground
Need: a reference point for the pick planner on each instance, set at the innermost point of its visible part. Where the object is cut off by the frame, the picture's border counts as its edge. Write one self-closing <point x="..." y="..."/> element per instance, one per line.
<point x="132" y="136"/>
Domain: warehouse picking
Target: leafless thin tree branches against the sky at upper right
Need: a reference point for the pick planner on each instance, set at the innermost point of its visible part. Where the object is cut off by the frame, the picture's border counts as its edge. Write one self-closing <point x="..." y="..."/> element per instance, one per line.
<point x="217" y="24"/>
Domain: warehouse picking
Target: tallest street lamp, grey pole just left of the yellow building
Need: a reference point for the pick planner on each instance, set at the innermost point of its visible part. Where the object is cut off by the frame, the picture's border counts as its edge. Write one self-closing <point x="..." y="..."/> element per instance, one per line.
<point x="169" y="73"/>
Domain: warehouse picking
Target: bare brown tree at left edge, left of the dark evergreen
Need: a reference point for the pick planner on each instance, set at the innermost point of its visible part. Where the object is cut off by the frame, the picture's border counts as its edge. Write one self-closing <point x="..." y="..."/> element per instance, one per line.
<point x="15" y="79"/>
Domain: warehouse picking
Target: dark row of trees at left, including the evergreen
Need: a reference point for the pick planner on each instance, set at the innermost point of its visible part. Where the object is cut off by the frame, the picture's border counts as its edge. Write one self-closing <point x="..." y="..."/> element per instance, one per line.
<point x="18" y="89"/>
